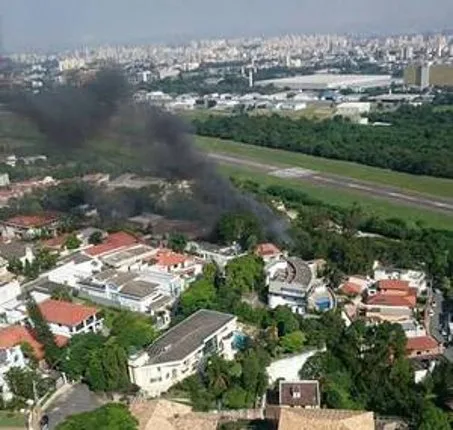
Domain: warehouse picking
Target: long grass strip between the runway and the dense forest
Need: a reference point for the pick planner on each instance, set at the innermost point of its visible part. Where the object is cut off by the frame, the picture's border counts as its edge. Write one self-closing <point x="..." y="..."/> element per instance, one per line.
<point x="421" y="184"/>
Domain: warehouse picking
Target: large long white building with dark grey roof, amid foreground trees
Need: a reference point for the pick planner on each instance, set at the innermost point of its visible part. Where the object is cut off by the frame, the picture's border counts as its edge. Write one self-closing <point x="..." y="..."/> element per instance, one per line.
<point x="183" y="350"/>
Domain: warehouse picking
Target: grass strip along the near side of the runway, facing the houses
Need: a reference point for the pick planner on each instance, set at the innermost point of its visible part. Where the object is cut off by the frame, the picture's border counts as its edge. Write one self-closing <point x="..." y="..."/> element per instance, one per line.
<point x="342" y="198"/>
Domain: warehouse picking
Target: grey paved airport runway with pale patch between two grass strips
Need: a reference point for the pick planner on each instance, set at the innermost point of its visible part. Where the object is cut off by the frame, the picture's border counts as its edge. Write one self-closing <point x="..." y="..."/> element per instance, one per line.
<point x="398" y="195"/>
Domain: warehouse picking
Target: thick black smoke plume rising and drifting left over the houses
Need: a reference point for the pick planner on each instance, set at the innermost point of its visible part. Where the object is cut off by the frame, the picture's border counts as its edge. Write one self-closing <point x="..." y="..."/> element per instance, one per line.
<point x="69" y="116"/>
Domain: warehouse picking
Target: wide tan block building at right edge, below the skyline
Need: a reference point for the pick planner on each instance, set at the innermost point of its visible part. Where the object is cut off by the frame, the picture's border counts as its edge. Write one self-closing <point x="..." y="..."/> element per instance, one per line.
<point x="423" y="76"/>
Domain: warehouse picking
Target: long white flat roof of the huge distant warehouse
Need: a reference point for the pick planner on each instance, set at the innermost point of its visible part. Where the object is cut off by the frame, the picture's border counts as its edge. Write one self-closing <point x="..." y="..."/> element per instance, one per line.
<point x="326" y="81"/>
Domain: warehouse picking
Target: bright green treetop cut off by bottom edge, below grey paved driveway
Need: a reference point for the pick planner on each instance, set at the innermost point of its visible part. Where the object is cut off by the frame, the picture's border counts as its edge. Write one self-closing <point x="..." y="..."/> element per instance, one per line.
<point x="113" y="416"/>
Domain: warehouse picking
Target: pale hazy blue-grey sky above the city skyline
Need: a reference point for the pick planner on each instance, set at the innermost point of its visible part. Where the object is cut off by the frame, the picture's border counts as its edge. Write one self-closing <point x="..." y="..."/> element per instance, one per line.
<point x="50" y="24"/>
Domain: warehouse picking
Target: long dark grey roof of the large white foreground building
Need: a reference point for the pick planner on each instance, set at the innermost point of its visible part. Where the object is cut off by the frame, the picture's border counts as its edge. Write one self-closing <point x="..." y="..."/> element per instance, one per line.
<point x="184" y="338"/>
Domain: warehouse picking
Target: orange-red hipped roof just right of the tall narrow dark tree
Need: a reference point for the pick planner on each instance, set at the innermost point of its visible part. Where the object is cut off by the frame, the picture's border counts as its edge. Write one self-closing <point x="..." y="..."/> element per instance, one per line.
<point x="65" y="313"/>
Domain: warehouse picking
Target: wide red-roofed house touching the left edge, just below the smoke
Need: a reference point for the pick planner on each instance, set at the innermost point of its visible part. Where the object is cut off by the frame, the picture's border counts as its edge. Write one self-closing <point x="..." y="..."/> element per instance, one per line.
<point x="29" y="226"/>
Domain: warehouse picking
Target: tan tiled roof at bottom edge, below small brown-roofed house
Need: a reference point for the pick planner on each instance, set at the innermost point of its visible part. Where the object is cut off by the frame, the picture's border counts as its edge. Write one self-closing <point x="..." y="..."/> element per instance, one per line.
<point x="323" y="419"/>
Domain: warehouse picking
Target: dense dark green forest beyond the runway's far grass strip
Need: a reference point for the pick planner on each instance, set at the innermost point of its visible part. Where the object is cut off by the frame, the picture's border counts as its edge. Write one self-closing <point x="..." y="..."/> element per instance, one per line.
<point x="418" y="141"/>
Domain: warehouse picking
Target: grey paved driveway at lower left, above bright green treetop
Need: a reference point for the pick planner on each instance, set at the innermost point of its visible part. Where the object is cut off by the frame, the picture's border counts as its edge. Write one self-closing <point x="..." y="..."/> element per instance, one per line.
<point x="76" y="400"/>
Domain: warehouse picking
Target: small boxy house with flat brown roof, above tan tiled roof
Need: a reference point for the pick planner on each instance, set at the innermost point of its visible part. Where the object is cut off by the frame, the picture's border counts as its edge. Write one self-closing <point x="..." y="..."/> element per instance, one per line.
<point x="302" y="394"/>
